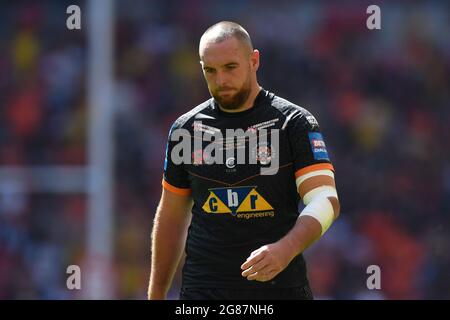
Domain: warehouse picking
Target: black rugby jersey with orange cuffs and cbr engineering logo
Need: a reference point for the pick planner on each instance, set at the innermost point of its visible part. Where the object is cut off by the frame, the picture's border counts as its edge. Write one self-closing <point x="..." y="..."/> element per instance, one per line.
<point x="237" y="209"/>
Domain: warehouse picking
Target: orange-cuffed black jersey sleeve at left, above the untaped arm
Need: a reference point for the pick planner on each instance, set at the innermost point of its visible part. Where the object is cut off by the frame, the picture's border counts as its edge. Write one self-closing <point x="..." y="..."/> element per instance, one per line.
<point x="175" y="178"/>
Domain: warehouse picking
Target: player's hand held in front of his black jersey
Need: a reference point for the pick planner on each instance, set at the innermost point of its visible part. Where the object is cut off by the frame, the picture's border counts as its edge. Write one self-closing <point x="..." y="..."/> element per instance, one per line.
<point x="266" y="262"/>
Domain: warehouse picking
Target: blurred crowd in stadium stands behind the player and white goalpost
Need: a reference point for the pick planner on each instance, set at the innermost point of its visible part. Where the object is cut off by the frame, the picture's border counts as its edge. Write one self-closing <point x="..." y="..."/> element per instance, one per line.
<point x="382" y="99"/>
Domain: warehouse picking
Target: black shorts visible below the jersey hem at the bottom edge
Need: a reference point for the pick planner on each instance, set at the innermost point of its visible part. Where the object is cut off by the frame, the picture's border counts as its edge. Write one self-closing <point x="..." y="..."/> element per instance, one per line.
<point x="296" y="293"/>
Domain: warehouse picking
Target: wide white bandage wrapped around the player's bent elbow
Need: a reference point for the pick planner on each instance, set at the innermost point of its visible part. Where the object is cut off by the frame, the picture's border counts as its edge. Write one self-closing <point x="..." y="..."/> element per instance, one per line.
<point x="319" y="207"/>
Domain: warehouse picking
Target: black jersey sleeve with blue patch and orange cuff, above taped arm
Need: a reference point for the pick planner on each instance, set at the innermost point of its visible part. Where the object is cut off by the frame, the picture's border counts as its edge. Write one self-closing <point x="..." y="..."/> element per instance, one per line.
<point x="307" y="144"/>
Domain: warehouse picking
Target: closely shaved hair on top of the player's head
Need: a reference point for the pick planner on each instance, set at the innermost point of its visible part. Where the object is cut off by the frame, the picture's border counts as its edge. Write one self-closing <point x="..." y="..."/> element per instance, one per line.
<point x="222" y="31"/>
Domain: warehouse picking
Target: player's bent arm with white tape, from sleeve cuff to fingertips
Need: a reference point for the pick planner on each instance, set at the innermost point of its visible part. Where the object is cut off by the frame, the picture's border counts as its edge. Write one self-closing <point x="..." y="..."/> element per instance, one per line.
<point x="318" y="191"/>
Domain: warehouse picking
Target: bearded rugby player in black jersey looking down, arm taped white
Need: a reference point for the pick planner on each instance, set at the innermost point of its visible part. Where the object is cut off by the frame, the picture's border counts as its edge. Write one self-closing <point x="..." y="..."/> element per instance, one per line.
<point x="241" y="230"/>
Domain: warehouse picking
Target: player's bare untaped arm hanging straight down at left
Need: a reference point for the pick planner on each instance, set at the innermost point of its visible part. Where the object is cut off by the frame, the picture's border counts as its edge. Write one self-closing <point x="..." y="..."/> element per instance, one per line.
<point x="168" y="239"/>
